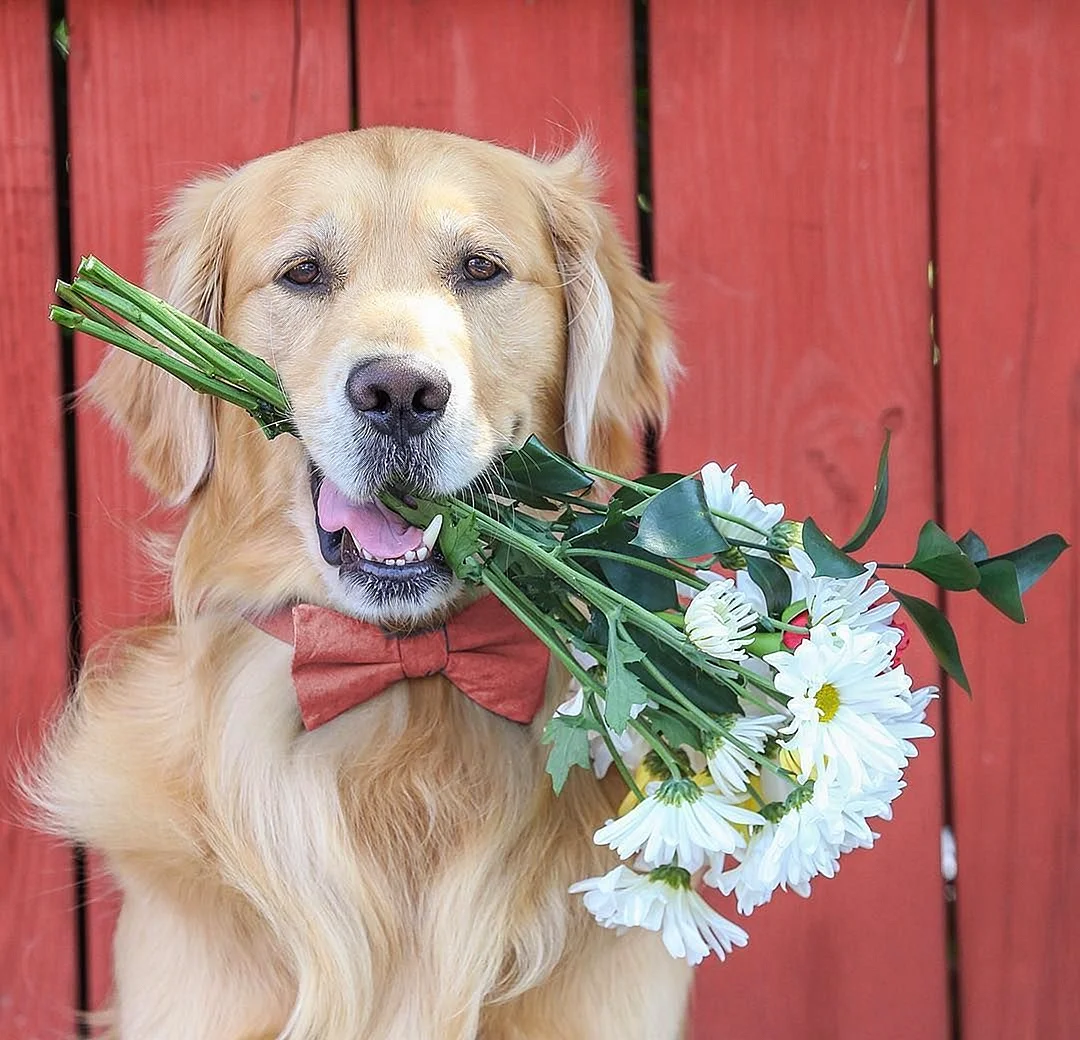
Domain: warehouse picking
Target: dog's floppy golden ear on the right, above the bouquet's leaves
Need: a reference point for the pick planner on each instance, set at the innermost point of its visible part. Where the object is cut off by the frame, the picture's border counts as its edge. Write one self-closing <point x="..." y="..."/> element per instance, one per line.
<point x="619" y="352"/>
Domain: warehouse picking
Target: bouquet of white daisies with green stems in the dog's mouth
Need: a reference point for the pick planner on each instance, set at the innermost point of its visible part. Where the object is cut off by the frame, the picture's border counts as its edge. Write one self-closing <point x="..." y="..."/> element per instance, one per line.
<point x="740" y="670"/>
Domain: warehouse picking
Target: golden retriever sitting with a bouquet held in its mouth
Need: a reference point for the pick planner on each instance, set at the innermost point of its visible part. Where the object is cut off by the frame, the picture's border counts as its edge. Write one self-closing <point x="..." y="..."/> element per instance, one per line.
<point x="401" y="872"/>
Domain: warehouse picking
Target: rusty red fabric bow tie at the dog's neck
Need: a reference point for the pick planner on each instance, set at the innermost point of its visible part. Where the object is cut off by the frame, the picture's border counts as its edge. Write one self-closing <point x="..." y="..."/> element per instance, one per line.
<point x="340" y="663"/>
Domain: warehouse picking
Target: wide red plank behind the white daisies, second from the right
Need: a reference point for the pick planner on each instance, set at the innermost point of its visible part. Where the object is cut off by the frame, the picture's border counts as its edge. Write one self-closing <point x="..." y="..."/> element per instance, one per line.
<point x="792" y="220"/>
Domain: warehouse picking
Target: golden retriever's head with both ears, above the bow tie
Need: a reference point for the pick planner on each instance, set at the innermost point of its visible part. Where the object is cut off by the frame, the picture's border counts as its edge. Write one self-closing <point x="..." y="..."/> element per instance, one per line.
<point x="428" y="301"/>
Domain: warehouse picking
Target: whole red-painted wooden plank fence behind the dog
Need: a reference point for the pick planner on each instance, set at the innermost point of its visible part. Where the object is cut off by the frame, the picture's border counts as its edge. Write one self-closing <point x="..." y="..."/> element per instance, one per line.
<point x="808" y="161"/>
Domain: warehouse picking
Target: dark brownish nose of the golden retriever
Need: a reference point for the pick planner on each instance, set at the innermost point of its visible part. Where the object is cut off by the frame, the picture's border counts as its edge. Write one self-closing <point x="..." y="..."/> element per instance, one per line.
<point x="397" y="397"/>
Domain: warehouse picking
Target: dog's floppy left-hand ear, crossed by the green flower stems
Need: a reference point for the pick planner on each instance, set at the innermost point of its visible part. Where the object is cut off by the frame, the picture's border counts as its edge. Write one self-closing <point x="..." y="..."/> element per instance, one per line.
<point x="171" y="429"/>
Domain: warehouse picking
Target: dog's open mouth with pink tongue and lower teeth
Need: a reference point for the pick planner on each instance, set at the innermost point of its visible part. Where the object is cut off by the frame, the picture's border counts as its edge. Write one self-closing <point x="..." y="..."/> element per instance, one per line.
<point x="372" y="545"/>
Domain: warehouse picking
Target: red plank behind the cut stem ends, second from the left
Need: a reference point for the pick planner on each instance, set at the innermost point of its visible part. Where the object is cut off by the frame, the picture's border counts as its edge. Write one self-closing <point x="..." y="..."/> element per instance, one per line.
<point x="159" y="93"/>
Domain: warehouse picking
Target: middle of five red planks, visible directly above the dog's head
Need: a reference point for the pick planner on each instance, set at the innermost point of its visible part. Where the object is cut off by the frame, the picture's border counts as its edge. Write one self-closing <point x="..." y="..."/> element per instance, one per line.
<point x="526" y="75"/>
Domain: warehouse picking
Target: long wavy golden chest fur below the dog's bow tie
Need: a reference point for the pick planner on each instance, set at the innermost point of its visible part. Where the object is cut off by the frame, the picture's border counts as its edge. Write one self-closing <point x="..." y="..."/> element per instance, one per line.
<point x="409" y="853"/>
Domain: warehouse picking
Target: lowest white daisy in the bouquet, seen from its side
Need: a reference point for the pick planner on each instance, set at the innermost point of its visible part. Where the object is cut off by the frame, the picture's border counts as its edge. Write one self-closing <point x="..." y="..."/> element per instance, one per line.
<point x="663" y="901"/>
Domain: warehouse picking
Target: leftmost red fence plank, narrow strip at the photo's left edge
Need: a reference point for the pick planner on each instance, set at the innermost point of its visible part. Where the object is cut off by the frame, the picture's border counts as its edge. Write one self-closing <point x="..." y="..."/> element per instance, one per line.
<point x="37" y="942"/>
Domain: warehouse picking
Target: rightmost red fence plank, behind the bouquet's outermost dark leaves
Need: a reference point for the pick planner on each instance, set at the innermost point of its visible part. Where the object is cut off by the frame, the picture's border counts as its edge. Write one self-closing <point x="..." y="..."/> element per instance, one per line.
<point x="1009" y="158"/>
